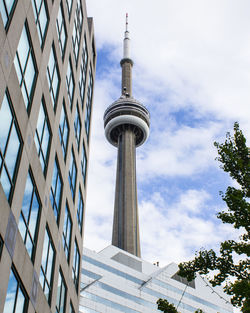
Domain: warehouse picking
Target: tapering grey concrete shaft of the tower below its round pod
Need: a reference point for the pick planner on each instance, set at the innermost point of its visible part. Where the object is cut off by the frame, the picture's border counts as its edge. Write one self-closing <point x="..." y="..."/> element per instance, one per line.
<point x="125" y="224"/>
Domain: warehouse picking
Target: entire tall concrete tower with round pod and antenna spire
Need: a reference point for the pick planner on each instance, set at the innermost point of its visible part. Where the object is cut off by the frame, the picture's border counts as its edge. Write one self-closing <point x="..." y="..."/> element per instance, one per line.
<point x="126" y="124"/>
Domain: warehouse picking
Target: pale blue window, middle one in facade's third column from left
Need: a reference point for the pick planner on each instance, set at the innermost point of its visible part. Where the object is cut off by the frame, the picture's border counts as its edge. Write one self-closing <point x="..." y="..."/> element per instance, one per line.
<point x="43" y="137"/>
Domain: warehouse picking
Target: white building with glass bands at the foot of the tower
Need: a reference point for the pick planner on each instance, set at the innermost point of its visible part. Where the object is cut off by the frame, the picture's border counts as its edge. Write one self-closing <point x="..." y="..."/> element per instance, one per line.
<point x="114" y="280"/>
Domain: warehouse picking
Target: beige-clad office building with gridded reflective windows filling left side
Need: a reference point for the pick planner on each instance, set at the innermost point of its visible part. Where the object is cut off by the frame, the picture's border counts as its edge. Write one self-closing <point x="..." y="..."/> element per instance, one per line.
<point x="47" y="66"/>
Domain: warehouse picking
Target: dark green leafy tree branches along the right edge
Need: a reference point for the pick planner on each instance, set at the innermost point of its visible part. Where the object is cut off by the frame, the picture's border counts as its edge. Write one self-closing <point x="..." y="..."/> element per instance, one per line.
<point x="235" y="159"/>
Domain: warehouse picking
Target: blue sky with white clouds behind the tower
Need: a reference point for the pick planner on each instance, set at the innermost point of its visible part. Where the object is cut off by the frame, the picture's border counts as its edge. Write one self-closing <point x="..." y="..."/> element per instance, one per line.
<point x="192" y="71"/>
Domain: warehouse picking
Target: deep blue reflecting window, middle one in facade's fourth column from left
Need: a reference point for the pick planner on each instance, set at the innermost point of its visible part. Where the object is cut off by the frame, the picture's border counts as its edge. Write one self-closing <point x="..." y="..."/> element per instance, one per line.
<point x="56" y="191"/>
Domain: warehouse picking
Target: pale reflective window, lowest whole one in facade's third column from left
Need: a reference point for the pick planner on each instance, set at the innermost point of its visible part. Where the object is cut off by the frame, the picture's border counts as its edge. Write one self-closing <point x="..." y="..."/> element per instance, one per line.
<point x="47" y="266"/>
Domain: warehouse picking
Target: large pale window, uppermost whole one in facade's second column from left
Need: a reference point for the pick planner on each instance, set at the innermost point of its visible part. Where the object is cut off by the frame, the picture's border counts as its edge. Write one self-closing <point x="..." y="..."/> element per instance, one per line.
<point x="25" y="66"/>
